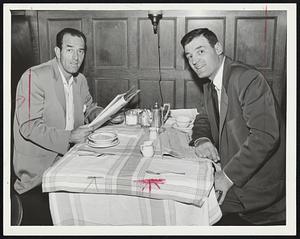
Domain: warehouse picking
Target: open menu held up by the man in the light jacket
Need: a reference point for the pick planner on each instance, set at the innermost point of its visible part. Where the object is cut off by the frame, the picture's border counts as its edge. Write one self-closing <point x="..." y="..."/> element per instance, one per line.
<point x="113" y="107"/>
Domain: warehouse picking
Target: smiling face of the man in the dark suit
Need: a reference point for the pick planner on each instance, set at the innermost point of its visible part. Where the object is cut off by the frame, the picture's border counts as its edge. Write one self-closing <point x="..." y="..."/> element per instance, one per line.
<point x="203" y="58"/>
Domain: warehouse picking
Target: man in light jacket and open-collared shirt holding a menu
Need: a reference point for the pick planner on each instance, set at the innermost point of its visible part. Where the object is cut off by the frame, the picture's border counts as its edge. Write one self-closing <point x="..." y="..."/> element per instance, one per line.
<point x="52" y="104"/>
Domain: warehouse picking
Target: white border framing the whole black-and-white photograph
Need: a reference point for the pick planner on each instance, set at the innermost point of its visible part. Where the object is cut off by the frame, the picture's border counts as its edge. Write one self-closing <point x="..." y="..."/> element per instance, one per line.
<point x="289" y="229"/>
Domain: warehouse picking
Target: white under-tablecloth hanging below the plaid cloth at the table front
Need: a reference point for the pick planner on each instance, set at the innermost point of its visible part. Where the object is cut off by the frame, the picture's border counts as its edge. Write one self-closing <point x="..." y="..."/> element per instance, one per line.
<point x="118" y="210"/>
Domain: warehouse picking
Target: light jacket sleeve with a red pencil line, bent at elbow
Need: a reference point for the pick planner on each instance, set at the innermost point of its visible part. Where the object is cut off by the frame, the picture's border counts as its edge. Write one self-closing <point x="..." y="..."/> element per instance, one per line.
<point x="30" y="100"/>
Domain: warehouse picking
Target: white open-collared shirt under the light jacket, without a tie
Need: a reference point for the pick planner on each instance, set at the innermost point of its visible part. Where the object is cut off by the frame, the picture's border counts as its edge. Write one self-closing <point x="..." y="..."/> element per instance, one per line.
<point x="68" y="89"/>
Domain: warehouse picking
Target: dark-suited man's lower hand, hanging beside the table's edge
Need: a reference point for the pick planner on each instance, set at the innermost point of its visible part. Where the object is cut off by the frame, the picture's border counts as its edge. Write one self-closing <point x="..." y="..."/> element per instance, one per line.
<point x="222" y="185"/>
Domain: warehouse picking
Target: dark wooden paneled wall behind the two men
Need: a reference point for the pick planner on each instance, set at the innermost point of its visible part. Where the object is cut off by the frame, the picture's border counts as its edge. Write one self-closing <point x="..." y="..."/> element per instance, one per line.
<point x="123" y="50"/>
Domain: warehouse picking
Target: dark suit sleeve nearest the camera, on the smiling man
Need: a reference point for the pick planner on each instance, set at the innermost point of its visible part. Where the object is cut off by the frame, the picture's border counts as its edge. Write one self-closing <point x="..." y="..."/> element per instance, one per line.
<point x="258" y="108"/>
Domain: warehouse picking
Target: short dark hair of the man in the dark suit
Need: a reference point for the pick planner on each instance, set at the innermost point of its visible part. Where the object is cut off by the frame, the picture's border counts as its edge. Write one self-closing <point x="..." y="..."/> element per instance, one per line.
<point x="208" y="34"/>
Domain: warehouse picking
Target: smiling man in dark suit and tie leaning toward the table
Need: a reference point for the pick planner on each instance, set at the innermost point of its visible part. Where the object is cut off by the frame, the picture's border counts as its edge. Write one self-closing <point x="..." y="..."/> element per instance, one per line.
<point x="241" y="129"/>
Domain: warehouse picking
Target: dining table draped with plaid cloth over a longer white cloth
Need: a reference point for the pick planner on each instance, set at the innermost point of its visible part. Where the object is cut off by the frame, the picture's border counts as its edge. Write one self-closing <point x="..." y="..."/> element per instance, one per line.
<point x="117" y="185"/>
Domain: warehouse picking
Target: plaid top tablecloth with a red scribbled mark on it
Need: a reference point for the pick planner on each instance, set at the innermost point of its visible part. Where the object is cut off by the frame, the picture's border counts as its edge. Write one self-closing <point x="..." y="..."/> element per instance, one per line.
<point x="186" y="181"/>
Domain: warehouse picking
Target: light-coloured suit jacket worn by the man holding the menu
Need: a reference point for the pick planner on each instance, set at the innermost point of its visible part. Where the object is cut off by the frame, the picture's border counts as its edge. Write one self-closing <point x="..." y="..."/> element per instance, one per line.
<point x="39" y="122"/>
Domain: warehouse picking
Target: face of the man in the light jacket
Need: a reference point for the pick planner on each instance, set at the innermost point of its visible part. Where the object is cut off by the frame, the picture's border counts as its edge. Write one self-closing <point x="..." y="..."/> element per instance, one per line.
<point x="71" y="55"/>
